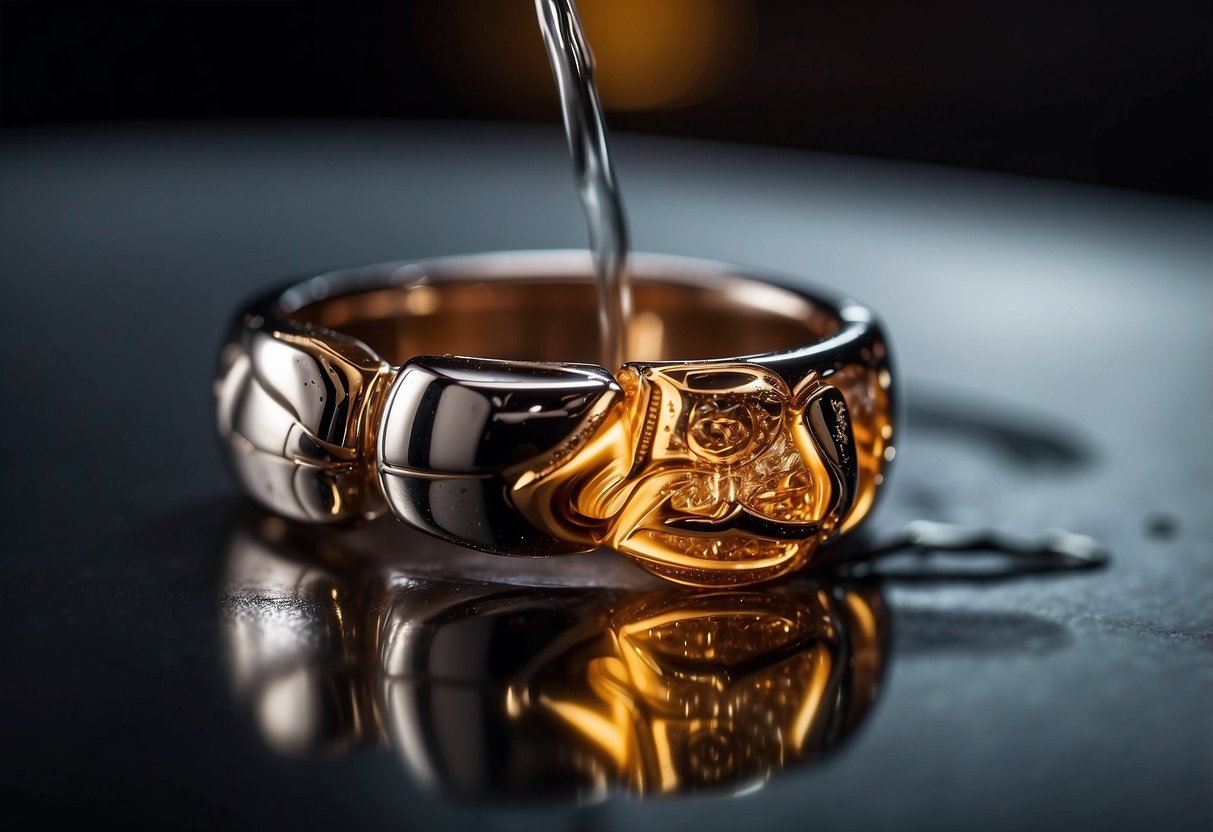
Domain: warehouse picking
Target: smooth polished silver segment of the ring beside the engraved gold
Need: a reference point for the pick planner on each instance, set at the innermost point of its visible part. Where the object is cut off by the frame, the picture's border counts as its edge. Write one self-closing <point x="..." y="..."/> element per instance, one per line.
<point x="453" y="428"/>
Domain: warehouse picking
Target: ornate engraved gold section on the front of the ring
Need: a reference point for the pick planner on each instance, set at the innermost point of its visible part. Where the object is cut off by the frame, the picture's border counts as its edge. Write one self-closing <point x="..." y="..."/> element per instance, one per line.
<point x="705" y="474"/>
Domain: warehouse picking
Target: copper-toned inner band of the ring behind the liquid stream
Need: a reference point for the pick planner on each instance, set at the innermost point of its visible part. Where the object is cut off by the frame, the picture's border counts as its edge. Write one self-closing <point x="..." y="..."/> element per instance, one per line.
<point x="555" y="320"/>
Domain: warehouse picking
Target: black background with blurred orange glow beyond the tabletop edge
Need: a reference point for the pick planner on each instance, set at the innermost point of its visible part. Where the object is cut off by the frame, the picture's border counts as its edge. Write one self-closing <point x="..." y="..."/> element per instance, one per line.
<point x="1114" y="93"/>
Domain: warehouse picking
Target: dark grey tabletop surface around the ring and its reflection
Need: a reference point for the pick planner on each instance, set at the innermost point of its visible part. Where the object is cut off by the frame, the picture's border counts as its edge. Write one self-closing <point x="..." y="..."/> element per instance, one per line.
<point x="1055" y="343"/>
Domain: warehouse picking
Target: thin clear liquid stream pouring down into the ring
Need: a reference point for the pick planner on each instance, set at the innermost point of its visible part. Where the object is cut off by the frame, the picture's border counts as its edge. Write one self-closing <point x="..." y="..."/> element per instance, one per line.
<point x="585" y="128"/>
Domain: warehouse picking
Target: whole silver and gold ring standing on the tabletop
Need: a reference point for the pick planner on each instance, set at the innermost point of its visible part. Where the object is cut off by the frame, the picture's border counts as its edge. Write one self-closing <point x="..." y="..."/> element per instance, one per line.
<point x="705" y="471"/>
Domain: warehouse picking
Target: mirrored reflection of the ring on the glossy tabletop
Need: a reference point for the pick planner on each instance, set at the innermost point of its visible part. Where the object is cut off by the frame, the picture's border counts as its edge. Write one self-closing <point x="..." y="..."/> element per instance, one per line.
<point x="511" y="693"/>
